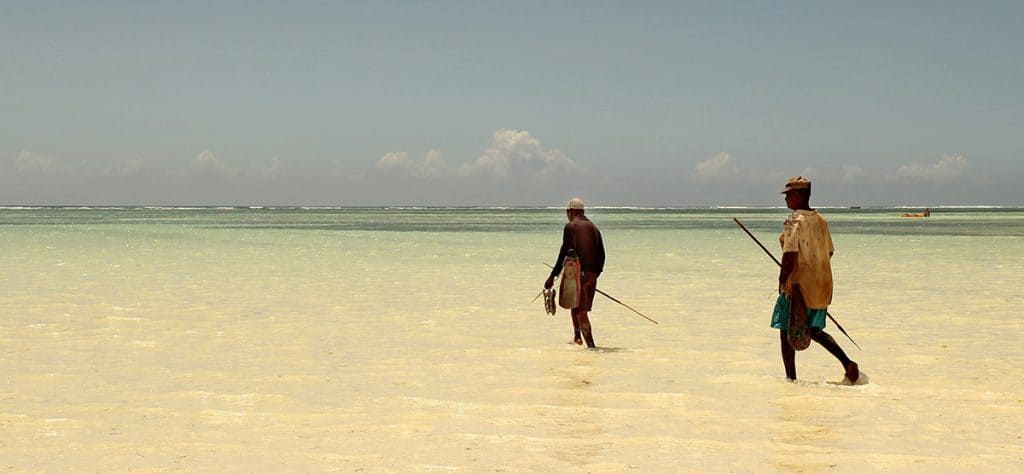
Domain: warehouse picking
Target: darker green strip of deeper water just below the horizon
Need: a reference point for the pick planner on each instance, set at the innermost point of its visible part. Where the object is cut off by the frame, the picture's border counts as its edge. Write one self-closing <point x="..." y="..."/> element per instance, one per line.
<point x="946" y="222"/>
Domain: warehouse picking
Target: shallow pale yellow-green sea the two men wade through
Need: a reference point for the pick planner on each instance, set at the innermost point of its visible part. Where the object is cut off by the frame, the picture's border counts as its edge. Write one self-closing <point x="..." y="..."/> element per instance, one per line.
<point x="406" y="340"/>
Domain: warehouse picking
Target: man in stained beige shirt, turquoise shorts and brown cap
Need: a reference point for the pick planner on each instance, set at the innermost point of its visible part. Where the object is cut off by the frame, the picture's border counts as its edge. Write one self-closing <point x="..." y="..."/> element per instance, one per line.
<point x="805" y="282"/>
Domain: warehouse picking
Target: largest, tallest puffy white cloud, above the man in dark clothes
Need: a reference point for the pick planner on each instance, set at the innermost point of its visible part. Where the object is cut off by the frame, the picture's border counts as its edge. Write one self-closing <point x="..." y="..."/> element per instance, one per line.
<point x="517" y="153"/>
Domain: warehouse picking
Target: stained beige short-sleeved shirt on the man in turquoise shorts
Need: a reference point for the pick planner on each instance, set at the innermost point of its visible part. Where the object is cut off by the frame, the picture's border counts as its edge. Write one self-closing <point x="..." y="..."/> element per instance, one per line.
<point x="807" y="234"/>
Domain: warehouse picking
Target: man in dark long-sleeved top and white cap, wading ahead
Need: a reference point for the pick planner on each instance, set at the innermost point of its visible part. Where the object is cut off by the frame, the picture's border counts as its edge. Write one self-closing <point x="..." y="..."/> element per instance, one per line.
<point x="580" y="234"/>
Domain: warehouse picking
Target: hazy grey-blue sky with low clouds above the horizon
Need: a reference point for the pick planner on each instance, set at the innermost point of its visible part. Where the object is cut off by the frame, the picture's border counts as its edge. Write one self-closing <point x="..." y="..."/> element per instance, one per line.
<point x="510" y="104"/>
